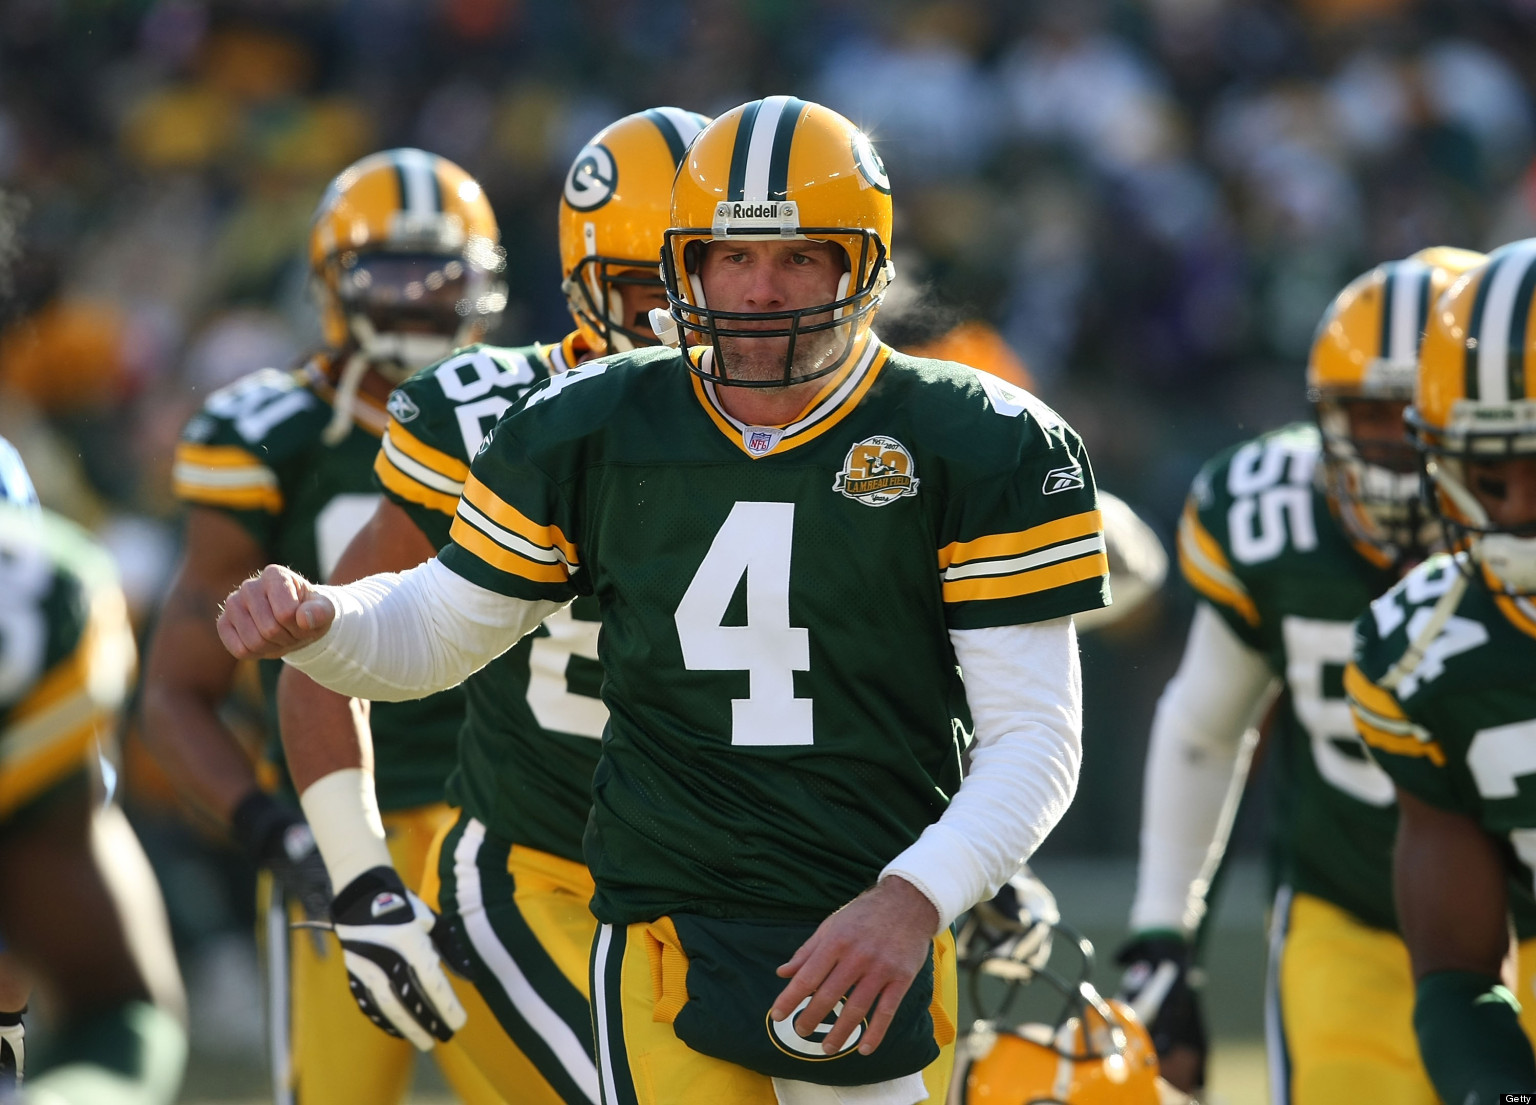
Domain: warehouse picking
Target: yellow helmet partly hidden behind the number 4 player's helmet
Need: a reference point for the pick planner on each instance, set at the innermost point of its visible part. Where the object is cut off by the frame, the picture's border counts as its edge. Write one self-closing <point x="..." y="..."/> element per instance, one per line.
<point x="615" y="210"/>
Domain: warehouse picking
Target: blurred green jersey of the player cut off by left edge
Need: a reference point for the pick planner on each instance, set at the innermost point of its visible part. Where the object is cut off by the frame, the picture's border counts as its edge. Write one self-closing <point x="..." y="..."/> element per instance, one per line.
<point x="67" y="655"/>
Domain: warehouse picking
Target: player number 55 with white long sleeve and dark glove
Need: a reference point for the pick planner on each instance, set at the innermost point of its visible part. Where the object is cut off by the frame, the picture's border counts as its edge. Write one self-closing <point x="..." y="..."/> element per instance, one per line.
<point x="1286" y="539"/>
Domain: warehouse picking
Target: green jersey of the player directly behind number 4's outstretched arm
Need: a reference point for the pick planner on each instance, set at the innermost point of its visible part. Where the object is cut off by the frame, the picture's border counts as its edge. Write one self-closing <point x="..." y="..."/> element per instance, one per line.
<point x="534" y="717"/>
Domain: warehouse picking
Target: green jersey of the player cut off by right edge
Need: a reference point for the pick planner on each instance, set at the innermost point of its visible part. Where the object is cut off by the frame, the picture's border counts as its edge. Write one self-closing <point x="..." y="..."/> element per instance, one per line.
<point x="1457" y="728"/>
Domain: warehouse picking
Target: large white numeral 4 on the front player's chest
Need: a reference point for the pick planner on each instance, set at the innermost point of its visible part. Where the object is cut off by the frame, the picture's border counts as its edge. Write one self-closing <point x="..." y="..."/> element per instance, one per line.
<point x="755" y="542"/>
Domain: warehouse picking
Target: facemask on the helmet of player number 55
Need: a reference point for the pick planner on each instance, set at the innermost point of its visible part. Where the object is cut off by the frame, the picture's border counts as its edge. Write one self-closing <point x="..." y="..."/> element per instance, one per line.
<point x="1375" y="483"/>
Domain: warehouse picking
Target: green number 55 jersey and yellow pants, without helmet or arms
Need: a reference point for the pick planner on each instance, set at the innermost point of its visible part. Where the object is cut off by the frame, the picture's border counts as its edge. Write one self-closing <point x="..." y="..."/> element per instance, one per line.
<point x="1262" y="545"/>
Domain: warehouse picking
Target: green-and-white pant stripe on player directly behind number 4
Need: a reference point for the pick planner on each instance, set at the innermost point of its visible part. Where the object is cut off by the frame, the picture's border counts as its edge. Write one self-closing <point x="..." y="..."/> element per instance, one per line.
<point x="537" y="1006"/>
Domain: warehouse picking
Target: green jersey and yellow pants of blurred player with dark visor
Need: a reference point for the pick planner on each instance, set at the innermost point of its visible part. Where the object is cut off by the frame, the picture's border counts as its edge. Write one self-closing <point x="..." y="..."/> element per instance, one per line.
<point x="256" y="453"/>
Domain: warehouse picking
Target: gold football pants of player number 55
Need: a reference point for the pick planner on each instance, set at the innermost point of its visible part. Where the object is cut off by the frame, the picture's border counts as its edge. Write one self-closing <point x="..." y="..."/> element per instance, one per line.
<point x="1340" y="1009"/>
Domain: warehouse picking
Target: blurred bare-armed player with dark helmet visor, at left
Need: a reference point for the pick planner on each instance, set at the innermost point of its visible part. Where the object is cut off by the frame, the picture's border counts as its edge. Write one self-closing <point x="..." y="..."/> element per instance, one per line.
<point x="405" y="265"/>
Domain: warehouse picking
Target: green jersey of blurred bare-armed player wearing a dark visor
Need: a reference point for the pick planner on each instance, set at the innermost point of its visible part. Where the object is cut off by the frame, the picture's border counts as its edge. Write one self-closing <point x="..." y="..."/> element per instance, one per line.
<point x="256" y="453"/>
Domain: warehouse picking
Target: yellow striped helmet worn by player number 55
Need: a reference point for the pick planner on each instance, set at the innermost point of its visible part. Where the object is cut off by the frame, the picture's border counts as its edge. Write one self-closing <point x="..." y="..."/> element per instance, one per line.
<point x="1366" y="353"/>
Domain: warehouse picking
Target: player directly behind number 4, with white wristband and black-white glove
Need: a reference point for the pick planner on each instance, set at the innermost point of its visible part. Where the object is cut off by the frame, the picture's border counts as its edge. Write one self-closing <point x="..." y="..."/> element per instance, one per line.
<point x="511" y="871"/>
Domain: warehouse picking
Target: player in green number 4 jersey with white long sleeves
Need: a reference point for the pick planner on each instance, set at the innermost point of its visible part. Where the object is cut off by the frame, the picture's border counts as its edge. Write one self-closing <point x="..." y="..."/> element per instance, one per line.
<point x="798" y="539"/>
